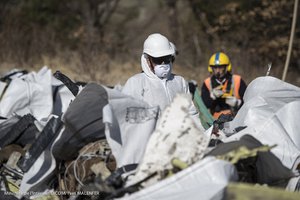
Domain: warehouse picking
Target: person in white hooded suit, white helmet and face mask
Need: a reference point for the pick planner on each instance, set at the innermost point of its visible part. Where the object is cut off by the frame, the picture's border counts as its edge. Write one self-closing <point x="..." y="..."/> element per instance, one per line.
<point x="156" y="85"/>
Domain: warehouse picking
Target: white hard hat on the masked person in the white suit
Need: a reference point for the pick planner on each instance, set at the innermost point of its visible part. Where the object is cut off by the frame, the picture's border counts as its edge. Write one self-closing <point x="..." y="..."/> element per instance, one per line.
<point x="157" y="45"/>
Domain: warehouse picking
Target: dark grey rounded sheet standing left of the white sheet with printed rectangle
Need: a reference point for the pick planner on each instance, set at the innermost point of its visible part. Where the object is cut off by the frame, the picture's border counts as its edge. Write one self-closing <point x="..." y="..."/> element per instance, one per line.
<point x="83" y="122"/>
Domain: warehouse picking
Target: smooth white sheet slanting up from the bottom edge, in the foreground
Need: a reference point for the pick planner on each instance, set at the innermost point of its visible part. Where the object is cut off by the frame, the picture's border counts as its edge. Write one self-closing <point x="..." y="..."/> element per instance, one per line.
<point x="206" y="179"/>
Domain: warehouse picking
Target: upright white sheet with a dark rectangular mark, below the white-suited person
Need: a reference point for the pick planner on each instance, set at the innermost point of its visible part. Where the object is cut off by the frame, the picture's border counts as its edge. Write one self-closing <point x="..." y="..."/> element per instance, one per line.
<point x="129" y="124"/>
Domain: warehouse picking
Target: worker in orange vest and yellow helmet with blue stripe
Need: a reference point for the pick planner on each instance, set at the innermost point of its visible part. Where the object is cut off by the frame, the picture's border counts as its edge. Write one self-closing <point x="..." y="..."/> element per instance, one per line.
<point x="222" y="92"/>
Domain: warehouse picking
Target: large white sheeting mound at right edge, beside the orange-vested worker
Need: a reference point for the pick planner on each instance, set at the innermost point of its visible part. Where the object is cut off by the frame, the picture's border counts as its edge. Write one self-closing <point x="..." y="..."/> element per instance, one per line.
<point x="270" y="112"/>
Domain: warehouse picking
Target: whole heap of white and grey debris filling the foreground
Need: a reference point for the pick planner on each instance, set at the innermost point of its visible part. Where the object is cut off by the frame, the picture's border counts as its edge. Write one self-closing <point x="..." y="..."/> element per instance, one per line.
<point x="62" y="139"/>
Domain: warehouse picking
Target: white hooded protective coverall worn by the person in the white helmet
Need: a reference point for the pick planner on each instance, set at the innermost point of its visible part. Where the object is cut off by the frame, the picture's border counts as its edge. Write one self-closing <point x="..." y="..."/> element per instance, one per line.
<point x="148" y="87"/>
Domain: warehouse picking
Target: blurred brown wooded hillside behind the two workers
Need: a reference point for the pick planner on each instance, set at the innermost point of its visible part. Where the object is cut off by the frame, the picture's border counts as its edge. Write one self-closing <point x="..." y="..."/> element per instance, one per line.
<point x="101" y="40"/>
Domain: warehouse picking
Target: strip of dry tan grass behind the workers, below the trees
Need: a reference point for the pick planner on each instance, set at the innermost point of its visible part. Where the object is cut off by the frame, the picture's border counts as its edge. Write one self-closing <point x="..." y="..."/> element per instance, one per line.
<point x="104" y="70"/>
